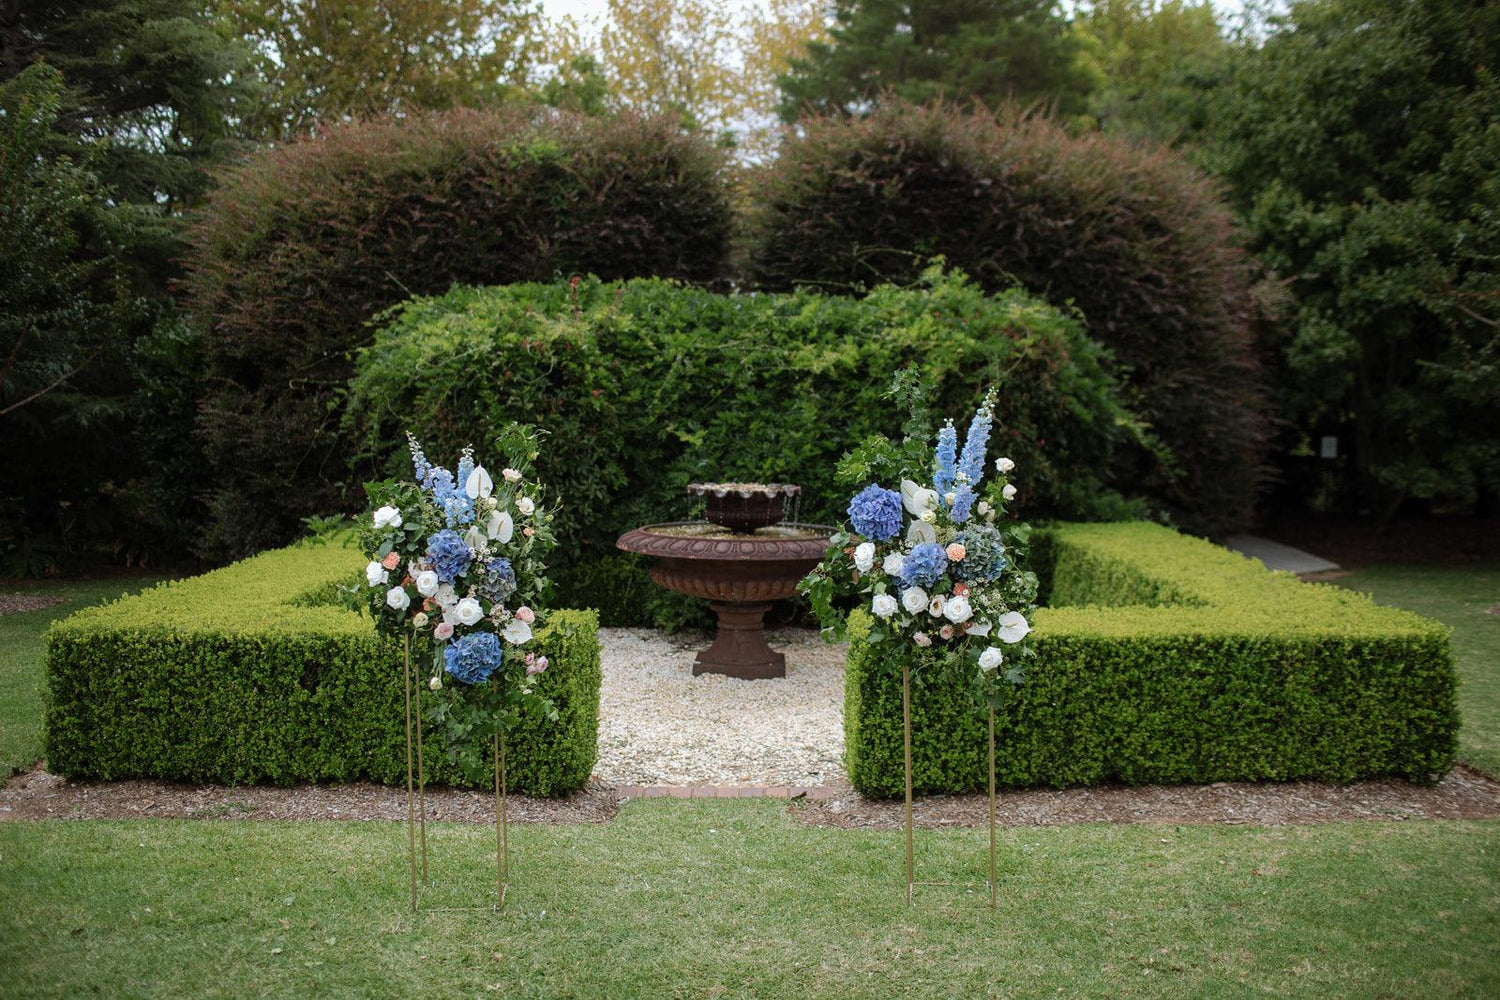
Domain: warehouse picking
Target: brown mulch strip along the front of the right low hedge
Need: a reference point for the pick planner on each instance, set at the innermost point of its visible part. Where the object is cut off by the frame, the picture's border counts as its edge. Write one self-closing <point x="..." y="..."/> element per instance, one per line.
<point x="1463" y="795"/>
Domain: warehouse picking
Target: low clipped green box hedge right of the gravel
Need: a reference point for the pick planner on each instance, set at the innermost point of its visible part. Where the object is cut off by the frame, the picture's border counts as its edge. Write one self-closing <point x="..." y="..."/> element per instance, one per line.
<point x="1165" y="659"/>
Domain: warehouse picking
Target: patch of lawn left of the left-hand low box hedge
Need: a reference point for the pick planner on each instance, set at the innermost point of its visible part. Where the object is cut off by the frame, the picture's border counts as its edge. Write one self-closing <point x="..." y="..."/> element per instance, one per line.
<point x="22" y="663"/>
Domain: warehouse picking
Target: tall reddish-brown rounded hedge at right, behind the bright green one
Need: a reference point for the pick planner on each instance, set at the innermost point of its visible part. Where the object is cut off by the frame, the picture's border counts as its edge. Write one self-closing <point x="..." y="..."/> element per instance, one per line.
<point x="1135" y="239"/>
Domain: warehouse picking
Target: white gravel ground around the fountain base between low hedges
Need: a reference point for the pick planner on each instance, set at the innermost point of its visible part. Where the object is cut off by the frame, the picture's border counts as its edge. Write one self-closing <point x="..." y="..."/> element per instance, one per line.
<point x="659" y="725"/>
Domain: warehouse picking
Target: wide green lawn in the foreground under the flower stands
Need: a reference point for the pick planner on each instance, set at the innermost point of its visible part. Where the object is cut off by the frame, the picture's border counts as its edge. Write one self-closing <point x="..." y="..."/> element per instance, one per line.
<point x="731" y="899"/>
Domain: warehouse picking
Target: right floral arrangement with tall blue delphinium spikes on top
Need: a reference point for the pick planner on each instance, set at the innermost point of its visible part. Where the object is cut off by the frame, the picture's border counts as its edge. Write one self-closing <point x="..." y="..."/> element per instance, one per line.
<point x="937" y="563"/>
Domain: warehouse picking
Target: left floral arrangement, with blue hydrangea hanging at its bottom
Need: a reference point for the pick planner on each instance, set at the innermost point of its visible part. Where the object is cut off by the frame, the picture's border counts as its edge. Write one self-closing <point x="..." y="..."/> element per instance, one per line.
<point x="458" y="569"/>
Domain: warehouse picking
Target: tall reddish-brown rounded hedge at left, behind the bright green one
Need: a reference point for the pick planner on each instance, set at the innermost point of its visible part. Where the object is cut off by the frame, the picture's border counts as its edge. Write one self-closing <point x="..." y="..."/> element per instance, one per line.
<point x="304" y="244"/>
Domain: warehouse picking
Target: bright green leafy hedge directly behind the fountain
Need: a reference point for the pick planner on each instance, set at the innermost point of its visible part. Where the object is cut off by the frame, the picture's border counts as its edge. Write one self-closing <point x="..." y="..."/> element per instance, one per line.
<point x="647" y="386"/>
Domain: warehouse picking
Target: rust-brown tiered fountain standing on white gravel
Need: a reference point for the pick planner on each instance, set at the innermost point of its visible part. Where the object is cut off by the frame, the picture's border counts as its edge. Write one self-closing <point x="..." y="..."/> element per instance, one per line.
<point x="740" y="560"/>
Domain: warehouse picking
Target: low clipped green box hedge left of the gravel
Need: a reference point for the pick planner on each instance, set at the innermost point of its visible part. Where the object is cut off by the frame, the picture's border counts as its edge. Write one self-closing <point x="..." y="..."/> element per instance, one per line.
<point x="253" y="675"/>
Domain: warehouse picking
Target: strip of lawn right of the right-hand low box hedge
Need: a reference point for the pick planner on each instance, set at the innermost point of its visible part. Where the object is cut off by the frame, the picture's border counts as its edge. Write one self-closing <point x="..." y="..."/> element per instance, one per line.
<point x="1459" y="597"/>
